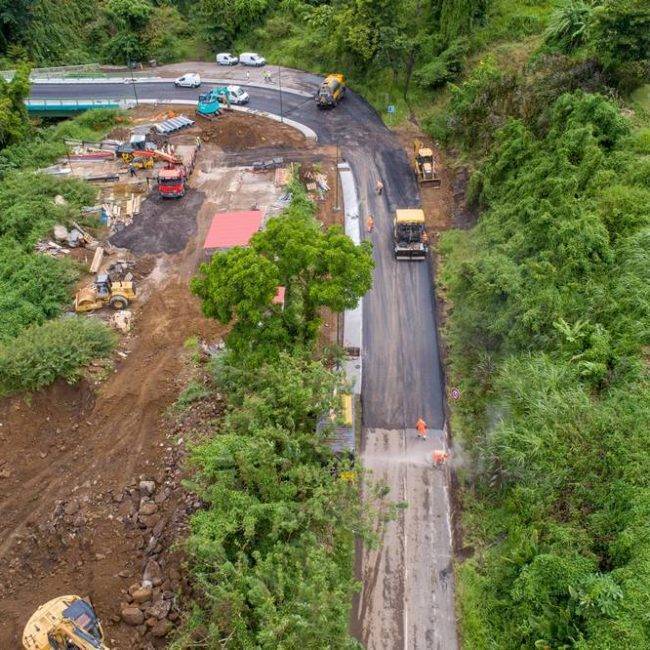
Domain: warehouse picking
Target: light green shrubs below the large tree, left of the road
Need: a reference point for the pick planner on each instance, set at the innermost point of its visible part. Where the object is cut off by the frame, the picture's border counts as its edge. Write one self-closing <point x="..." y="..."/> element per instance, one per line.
<point x="272" y="552"/>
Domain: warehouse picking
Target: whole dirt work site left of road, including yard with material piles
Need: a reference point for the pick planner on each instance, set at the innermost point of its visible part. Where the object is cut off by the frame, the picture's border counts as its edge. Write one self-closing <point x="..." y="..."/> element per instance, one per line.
<point x="91" y="500"/>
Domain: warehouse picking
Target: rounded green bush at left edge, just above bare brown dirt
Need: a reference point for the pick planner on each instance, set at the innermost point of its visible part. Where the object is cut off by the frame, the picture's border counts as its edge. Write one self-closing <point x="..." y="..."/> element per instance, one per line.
<point x="58" y="348"/>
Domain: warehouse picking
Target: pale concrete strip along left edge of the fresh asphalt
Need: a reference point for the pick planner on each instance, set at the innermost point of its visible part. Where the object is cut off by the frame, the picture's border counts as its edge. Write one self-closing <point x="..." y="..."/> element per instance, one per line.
<point x="352" y="318"/>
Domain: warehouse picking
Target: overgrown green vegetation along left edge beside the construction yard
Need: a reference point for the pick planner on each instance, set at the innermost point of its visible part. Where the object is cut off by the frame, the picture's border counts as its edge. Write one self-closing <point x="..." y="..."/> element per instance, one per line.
<point x="35" y="288"/>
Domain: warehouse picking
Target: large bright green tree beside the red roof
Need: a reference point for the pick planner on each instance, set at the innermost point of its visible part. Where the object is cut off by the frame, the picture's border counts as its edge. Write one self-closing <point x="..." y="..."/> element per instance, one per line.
<point x="318" y="268"/>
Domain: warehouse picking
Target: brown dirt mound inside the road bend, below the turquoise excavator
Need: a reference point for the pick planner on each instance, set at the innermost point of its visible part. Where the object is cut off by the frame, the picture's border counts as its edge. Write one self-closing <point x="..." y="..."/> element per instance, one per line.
<point x="239" y="132"/>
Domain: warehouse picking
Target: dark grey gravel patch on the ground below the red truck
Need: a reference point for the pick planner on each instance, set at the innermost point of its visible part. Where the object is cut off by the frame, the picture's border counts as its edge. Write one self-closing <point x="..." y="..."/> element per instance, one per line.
<point x="163" y="225"/>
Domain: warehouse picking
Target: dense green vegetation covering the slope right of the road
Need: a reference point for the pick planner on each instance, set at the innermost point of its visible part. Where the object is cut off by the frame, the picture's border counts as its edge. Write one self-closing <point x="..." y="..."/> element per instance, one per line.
<point x="549" y="328"/>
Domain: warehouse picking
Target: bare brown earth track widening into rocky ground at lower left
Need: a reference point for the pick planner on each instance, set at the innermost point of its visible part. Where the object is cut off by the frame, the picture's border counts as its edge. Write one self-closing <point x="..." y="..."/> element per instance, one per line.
<point x="90" y="495"/>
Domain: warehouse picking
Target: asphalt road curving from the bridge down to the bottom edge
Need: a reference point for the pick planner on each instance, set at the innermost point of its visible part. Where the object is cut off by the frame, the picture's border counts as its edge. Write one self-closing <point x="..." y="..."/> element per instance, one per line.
<point x="408" y="594"/>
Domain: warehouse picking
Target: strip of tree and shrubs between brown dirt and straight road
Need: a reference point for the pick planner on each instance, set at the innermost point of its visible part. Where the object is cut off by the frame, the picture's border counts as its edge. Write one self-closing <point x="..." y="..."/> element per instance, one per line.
<point x="272" y="552"/>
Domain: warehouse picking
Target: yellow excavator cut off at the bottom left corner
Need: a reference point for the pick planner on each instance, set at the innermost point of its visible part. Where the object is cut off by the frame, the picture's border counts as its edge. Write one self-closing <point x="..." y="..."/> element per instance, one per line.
<point x="64" y="623"/>
